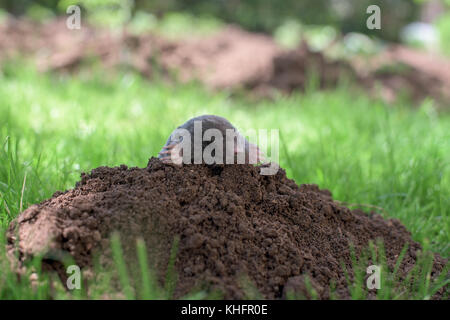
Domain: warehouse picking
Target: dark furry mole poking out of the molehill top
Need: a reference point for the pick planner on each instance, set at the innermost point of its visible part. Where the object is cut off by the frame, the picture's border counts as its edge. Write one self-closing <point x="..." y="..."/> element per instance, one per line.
<point x="202" y="130"/>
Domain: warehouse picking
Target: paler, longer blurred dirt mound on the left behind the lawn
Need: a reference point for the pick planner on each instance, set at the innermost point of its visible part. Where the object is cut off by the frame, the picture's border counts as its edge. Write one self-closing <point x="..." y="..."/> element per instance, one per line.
<point x="231" y="57"/>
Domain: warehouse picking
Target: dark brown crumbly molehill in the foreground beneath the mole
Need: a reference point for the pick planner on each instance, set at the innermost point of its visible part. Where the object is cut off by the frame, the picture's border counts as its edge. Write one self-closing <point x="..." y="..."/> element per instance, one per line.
<point x="232" y="223"/>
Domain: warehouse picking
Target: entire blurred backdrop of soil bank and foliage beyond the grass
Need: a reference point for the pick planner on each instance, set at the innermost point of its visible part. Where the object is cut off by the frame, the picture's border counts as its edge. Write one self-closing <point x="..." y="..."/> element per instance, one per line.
<point x="215" y="41"/>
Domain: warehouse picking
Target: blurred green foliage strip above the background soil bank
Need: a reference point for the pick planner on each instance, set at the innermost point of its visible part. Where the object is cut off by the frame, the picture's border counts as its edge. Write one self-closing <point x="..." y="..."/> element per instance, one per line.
<point x="260" y="15"/>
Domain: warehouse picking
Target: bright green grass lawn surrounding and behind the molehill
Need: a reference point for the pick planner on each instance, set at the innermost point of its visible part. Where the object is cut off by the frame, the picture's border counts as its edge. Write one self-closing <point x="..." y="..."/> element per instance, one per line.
<point x="392" y="157"/>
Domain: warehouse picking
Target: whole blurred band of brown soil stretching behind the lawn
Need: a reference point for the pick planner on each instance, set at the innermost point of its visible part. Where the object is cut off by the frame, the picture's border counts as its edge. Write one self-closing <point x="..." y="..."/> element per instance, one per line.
<point x="231" y="58"/>
